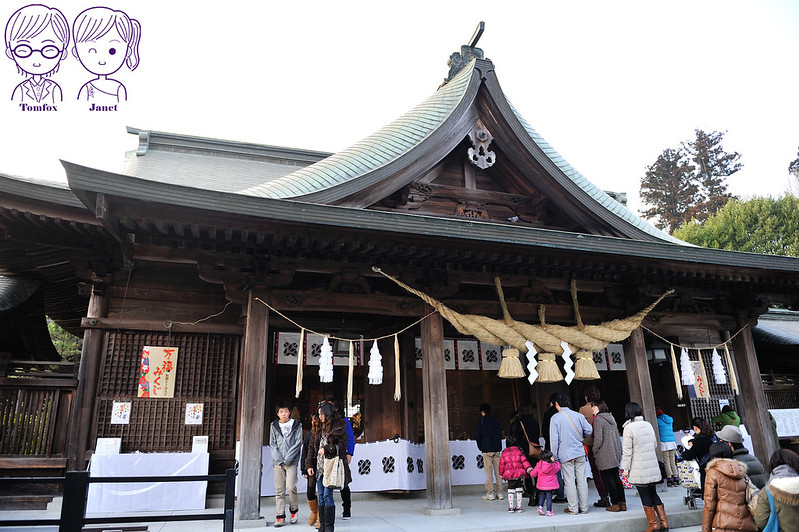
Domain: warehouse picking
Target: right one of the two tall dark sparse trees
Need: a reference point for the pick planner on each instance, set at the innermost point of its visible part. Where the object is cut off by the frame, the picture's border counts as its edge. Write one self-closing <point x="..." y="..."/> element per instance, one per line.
<point x="713" y="165"/>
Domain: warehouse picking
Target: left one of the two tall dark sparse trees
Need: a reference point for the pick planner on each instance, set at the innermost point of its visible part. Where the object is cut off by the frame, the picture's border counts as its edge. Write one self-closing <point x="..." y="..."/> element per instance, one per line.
<point x="668" y="186"/>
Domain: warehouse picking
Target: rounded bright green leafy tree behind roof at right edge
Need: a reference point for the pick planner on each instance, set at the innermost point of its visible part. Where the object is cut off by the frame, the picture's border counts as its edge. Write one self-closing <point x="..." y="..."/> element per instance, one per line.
<point x="760" y="225"/>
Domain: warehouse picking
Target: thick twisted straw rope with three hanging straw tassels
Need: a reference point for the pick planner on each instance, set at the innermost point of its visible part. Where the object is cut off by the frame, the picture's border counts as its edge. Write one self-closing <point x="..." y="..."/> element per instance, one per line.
<point x="547" y="338"/>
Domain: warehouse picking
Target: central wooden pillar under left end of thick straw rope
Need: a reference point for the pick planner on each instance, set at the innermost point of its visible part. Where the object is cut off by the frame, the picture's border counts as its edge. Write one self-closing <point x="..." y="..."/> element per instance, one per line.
<point x="436" y="419"/>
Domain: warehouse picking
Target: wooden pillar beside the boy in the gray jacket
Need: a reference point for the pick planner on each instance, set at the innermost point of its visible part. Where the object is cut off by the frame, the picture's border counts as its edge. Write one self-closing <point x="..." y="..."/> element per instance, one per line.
<point x="253" y="398"/>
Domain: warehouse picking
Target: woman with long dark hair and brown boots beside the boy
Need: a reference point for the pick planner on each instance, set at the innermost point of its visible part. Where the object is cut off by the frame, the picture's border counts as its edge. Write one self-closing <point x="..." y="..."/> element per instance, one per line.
<point x="330" y="442"/>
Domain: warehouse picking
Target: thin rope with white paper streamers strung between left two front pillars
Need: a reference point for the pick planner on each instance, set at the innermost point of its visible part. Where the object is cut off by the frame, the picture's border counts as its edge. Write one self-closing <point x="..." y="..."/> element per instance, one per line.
<point x="329" y="370"/>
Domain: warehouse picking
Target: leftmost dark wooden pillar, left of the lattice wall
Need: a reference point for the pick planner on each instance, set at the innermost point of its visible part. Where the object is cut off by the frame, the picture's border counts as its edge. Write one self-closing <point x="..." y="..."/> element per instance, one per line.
<point x="82" y="413"/>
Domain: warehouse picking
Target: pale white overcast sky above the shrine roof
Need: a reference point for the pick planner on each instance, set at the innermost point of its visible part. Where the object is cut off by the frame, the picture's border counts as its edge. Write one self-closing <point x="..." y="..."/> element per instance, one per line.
<point x="609" y="84"/>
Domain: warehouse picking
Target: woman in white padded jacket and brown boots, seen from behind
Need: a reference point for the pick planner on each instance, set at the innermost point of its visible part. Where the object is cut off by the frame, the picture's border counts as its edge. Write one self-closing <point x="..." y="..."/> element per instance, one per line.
<point x="639" y="462"/>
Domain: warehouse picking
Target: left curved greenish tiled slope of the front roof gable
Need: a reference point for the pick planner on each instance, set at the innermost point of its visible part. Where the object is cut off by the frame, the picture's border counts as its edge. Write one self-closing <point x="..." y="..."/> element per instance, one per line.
<point x="333" y="178"/>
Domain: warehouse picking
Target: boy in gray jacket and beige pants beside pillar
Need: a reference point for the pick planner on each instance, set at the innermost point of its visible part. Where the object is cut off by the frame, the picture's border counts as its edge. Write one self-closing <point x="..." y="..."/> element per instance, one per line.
<point x="285" y="442"/>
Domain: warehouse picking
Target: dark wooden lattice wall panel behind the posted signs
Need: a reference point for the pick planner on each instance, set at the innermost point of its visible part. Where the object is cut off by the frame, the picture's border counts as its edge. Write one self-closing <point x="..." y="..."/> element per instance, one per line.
<point x="207" y="372"/>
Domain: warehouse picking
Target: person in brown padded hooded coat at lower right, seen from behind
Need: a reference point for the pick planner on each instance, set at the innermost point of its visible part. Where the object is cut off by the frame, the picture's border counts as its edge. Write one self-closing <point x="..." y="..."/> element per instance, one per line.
<point x="725" y="493"/>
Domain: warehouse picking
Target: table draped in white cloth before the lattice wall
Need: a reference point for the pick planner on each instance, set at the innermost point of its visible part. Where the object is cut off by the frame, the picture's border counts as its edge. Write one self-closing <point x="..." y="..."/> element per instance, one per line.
<point x="147" y="496"/>
